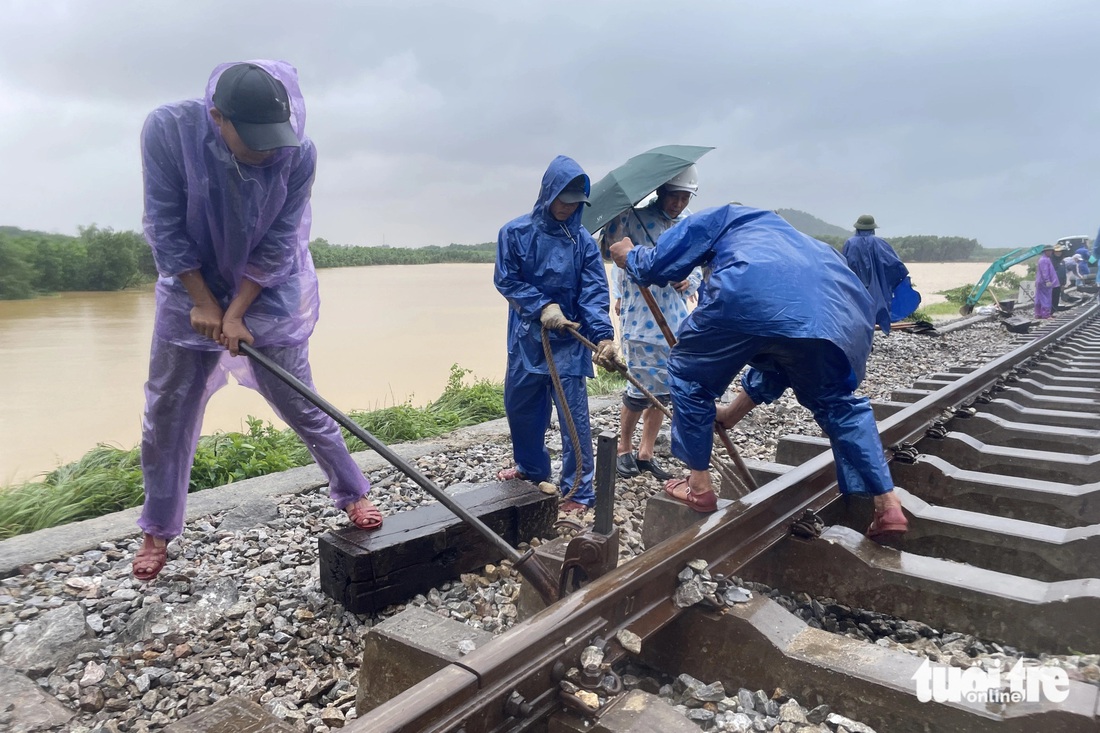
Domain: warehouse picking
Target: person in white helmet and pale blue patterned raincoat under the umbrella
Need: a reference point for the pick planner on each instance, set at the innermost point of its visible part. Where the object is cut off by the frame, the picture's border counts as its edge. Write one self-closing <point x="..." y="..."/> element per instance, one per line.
<point x="644" y="344"/>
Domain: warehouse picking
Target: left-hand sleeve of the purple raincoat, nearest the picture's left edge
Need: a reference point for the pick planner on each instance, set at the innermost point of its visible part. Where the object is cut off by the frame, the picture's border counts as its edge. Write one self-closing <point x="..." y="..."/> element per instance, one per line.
<point x="166" y="220"/>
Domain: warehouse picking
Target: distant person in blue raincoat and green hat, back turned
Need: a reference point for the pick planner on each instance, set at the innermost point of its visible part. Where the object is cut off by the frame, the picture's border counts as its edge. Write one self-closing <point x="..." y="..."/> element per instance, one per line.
<point x="883" y="273"/>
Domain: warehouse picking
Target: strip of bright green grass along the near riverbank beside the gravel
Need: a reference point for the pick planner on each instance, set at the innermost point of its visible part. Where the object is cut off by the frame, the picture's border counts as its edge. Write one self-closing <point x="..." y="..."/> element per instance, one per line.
<point x="109" y="479"/>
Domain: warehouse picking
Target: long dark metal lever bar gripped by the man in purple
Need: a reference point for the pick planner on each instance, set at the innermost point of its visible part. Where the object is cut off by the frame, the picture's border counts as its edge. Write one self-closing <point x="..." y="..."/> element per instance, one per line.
<point x="527" y="564"/>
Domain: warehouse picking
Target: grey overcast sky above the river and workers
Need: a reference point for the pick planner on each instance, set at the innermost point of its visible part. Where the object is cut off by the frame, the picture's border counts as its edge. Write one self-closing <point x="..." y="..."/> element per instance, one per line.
<point x="435" y="121"/>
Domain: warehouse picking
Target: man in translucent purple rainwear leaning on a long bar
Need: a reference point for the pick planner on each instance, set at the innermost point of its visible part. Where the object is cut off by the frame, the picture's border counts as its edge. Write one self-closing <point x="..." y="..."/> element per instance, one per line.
<point x="228" y="182"/>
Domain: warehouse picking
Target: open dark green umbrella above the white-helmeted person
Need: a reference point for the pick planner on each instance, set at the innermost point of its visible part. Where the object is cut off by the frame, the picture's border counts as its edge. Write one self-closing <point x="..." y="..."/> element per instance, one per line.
<point x="636" y="180"/>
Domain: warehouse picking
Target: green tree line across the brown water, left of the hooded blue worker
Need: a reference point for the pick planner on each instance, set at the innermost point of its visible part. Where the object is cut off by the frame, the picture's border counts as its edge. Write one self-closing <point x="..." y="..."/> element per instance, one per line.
<point x="35" y="264"/>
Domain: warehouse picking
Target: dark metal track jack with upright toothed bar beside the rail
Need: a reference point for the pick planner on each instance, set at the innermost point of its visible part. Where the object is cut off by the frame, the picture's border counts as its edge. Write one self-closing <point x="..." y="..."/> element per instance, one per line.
<point x="596" y="552"/>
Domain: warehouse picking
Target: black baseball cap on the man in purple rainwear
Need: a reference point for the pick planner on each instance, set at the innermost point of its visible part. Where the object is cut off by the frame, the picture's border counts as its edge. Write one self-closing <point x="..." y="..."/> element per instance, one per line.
<point x="258" y="106"/>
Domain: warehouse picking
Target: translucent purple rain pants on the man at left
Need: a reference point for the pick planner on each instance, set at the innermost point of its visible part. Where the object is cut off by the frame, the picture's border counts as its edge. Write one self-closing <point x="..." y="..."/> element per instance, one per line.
<point x="181" y="382"/>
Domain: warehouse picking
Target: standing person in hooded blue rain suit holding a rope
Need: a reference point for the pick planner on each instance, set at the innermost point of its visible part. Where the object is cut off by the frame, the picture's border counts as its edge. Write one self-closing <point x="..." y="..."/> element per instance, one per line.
<point x="549" y="269"/>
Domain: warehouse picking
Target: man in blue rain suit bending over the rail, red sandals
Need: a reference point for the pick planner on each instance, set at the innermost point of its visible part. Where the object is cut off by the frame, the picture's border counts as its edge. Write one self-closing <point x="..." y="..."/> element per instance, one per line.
<point x="813" y="337"/>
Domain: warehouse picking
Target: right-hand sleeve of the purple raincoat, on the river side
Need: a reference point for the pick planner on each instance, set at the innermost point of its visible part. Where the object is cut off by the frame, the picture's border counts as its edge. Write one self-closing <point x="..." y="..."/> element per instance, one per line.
<point x="276" y="258"/>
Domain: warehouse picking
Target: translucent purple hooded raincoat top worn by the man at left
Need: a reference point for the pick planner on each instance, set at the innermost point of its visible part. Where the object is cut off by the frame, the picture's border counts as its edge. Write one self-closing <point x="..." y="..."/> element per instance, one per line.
<point x="205" y="211"/>
